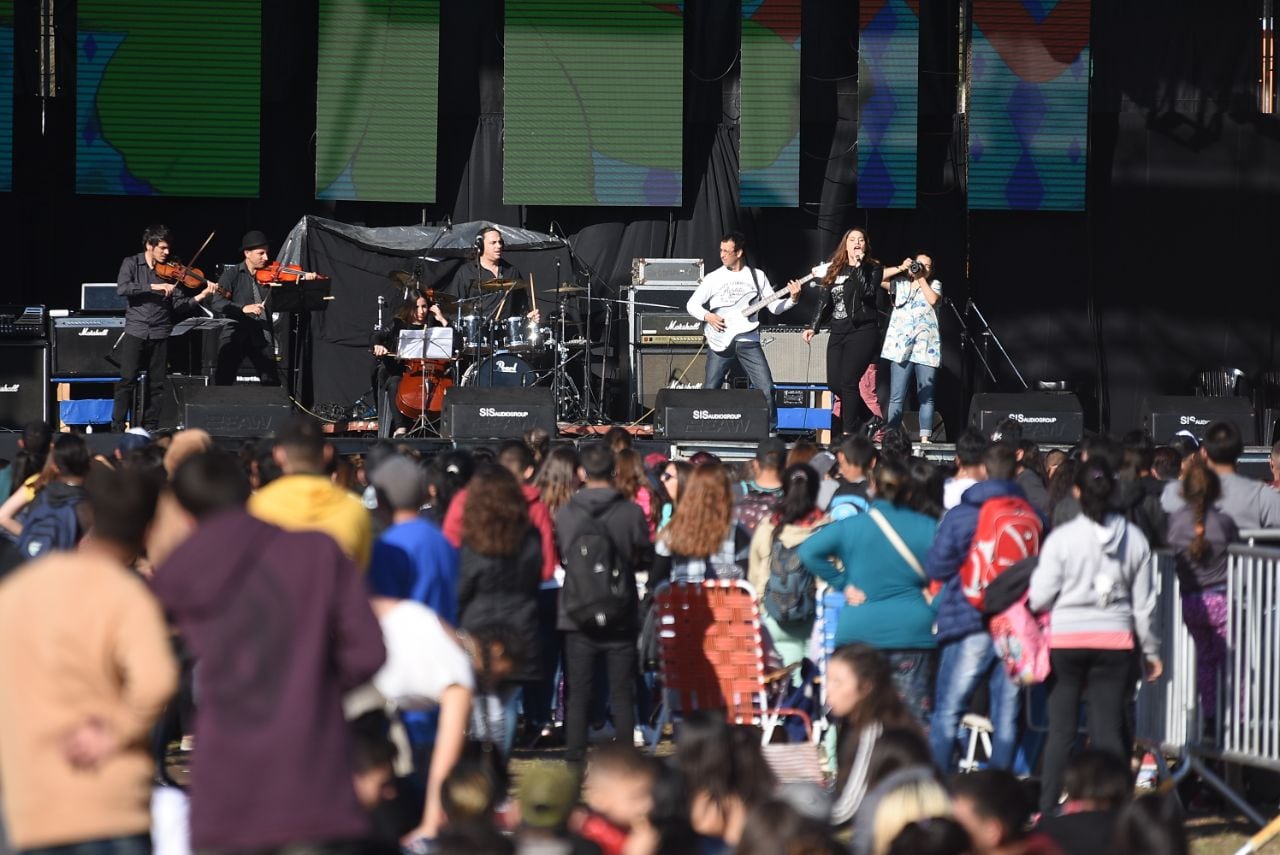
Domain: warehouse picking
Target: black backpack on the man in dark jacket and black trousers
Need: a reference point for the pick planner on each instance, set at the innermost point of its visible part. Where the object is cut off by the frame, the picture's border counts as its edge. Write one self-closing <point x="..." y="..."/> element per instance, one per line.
<point x="597" y="593"/>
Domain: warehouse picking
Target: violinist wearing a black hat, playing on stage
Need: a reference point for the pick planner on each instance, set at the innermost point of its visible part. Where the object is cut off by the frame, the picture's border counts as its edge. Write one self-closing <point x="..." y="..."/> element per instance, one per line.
<point x="250" y="333"/>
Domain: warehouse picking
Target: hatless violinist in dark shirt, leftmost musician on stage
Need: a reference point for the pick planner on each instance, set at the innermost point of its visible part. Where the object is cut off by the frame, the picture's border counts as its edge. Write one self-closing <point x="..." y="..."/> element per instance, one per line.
<point x="154" y="307"/>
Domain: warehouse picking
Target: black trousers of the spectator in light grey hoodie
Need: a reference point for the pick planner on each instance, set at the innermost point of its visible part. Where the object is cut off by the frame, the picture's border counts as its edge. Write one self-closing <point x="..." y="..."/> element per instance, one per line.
<point x="1104" y="680"/>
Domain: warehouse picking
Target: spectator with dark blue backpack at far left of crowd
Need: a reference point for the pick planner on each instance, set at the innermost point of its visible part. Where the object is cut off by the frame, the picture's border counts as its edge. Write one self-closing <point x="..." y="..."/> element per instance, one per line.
<point x="60" y="516"/>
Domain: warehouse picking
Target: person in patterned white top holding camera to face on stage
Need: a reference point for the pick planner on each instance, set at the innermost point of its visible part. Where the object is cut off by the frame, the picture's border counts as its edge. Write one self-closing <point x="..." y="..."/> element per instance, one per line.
<point x="913" y="344"/>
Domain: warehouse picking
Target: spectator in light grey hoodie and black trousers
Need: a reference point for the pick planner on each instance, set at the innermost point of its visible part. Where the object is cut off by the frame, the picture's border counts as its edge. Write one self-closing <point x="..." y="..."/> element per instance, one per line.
<point x="1095" y="578"/>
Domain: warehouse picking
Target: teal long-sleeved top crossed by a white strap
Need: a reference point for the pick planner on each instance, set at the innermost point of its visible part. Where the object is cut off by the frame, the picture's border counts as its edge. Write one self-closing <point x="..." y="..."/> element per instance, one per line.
<point x="895" y="616"/>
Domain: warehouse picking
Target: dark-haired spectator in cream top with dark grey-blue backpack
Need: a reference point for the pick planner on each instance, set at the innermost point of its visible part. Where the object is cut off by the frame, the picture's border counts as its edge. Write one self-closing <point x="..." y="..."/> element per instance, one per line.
<point x="785" y="587"/>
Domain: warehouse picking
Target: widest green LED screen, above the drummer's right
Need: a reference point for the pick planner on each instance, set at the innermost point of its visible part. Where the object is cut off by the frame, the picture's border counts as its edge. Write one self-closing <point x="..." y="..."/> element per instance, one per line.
<point x="595" y="103"/>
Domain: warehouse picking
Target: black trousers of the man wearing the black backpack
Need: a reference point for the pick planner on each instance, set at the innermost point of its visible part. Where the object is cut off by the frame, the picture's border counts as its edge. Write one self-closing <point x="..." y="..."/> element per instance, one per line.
<point x="580" y="655"/>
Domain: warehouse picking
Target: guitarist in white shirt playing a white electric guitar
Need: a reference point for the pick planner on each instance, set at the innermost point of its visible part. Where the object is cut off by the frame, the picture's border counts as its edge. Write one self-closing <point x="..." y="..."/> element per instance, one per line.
<point x="729" y="301"/>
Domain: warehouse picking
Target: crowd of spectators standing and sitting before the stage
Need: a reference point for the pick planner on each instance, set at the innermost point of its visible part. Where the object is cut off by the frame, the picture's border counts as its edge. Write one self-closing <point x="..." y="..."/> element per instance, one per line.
<point x="287" y="650"/>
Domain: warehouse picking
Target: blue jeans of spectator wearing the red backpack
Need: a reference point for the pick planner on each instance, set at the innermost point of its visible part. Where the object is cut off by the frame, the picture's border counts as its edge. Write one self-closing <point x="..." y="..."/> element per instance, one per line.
<point x="963" y="665"/>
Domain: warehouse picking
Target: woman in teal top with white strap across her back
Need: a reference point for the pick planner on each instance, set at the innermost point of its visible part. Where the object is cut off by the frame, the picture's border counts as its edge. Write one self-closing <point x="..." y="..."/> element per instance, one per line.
<point x="881" y="556"/>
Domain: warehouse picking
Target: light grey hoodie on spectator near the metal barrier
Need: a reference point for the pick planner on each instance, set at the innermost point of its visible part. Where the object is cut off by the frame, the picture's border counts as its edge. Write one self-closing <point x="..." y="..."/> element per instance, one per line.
<point x="1098" y="579"/>
